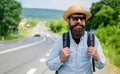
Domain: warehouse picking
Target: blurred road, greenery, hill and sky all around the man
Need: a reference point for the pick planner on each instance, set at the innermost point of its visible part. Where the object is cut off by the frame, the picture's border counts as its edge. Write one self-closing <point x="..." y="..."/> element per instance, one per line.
<point x="29" y="28"/>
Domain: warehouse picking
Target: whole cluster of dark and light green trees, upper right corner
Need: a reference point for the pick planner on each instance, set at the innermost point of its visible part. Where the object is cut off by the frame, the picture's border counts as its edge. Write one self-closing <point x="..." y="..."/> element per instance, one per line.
<point x="104" y="12"/>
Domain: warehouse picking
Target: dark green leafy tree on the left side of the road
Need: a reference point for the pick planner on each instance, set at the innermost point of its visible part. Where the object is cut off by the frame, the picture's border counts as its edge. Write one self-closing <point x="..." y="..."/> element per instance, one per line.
<point x="10" y="11"/>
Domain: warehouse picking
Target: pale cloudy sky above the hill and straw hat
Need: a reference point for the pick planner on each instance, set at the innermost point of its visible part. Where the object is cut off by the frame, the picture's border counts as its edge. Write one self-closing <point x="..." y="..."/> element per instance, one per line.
<point x="55" y="4"/>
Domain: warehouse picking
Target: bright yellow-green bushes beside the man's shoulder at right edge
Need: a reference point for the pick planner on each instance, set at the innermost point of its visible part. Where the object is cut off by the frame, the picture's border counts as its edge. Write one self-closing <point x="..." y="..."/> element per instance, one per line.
<point x="109" y="37"/>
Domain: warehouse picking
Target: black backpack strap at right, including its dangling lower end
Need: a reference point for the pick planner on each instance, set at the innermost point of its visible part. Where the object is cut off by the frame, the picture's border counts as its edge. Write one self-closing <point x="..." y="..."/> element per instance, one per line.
<point x="91" y="42"/>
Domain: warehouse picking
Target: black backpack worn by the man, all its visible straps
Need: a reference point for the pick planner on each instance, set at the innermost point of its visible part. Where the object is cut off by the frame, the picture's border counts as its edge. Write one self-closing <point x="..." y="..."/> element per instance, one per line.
<point x="90" y="42"/>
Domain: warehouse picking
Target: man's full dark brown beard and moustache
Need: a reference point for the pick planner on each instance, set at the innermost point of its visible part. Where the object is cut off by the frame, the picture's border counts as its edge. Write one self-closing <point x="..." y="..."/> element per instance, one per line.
<point x="77" y="32"/>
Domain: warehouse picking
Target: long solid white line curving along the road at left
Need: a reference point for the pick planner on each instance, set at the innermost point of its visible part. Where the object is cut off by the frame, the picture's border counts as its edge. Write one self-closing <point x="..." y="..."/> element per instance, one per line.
<point x="24" y="46"/>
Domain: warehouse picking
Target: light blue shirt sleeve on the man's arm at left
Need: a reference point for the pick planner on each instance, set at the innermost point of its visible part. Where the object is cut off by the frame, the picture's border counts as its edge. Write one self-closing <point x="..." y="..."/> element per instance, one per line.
<point x="53" y="61"/>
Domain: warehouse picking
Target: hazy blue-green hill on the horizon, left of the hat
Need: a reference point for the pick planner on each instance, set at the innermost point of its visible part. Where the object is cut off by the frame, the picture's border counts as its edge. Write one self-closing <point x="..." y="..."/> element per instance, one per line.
<point x="43" y="14"/>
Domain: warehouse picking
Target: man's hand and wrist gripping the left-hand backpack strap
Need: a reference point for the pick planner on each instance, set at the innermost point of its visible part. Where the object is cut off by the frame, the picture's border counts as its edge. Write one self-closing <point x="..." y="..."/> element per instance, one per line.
<point x="64" y="54"/>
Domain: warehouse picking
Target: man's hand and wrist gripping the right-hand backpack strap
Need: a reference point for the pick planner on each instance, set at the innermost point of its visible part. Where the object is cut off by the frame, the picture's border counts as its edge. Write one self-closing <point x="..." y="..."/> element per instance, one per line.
<point x="93" y="52"/>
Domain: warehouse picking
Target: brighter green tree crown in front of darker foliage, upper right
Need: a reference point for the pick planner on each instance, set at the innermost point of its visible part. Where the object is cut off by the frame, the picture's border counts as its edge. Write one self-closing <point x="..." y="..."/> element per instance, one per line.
<point x="105" y="16"/>
